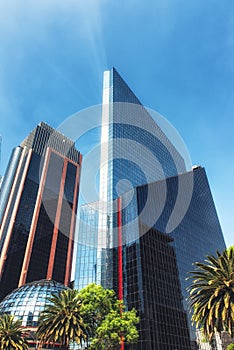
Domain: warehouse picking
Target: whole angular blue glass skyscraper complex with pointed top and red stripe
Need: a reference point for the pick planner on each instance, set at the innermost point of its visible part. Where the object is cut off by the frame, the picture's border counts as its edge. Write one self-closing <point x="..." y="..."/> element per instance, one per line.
<point x="146" y="192"/>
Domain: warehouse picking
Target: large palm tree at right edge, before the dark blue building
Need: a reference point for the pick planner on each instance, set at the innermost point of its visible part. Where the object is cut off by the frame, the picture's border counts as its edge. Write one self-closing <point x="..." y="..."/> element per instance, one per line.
<point x="212" y="293"/>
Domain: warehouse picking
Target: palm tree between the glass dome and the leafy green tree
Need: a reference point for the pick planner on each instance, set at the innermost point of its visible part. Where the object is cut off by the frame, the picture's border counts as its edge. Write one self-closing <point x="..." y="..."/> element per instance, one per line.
<point x="61" y="321"/>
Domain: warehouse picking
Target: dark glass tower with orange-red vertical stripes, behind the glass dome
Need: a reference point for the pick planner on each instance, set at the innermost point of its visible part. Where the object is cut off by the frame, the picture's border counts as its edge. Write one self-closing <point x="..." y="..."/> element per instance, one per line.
<point x="38" y="205"/>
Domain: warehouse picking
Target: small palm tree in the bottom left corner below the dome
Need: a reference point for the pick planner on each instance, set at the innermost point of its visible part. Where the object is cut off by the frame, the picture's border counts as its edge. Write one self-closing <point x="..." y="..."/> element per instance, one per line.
<point x="12" y="334"/>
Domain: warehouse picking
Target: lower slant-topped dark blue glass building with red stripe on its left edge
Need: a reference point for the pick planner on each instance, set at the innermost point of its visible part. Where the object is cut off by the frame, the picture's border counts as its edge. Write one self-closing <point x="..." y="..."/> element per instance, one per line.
<point x="197" y="235"/>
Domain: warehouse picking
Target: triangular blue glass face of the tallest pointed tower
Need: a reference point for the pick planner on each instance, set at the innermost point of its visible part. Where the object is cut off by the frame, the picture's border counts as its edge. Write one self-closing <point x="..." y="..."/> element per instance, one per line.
<point x="134" y="139"/>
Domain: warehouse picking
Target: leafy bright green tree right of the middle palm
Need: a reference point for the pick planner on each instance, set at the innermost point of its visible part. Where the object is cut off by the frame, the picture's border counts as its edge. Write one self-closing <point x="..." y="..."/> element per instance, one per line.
<point x="106" y="318"/>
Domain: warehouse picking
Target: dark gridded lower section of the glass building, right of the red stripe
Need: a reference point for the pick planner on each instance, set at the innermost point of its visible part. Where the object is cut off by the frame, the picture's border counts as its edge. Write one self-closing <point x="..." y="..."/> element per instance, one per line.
<point x="150" y="283"/>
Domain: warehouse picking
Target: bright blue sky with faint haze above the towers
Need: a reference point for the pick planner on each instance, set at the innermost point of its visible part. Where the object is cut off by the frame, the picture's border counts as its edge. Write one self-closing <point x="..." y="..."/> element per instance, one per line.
<point x="176" y="55"/>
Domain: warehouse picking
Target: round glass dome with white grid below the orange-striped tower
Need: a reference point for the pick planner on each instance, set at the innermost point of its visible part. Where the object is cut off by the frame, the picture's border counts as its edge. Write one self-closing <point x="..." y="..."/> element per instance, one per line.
<point x="28" y="301"/>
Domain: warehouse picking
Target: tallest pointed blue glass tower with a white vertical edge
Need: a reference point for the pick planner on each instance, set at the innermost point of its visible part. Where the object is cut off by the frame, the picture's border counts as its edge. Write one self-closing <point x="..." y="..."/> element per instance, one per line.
<point x="134" y="151"/>
